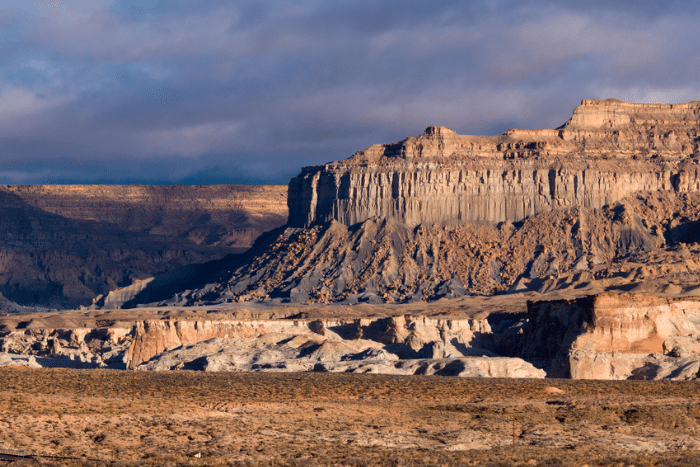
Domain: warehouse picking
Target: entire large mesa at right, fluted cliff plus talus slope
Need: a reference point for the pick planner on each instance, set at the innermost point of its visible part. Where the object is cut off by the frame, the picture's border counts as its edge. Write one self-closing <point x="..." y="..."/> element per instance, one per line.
<point x="608" y="201"/>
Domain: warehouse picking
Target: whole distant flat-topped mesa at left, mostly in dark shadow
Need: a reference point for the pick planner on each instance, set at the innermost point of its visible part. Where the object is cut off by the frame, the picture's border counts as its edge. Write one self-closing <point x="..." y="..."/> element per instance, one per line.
<point x="61" y="246"/>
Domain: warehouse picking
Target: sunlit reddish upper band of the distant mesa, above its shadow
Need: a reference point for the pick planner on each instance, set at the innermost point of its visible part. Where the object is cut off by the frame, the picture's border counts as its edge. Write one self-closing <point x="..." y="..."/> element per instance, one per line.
<point x="215" y="215"/>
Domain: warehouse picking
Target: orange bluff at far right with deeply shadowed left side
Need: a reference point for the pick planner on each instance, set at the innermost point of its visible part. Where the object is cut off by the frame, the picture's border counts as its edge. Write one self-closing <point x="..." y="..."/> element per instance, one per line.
<point x="616" y="336"/>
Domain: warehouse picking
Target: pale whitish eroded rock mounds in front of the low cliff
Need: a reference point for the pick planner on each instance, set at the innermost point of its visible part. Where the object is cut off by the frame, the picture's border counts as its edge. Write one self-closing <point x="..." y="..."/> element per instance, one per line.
<point x="357" y="356"/>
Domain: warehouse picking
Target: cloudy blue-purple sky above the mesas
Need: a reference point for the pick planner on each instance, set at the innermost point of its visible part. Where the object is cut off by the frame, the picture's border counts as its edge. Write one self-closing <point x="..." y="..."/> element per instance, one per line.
<point x="248" y="92"/>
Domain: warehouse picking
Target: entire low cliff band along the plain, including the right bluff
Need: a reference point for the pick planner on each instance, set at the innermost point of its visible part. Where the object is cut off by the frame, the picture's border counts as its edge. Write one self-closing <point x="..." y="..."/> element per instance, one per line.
<point x="602" y="336"/>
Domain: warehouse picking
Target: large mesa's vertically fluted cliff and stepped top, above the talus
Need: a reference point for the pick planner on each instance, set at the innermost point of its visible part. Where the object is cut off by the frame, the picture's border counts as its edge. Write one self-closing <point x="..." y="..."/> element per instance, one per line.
<point x="607" y="151"/>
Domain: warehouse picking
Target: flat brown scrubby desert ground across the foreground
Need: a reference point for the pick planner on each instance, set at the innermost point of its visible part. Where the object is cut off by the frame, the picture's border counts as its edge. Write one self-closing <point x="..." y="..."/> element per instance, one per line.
<point x="101" y="417"/>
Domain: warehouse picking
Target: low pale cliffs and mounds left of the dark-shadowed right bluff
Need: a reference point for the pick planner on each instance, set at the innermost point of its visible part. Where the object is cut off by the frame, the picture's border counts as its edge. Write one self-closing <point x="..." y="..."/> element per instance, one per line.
<point x="394" y="345"/>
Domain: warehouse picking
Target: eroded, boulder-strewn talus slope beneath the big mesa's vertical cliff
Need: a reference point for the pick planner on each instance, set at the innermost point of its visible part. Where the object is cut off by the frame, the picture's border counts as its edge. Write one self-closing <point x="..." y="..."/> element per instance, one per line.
<point x="645" y="243"/>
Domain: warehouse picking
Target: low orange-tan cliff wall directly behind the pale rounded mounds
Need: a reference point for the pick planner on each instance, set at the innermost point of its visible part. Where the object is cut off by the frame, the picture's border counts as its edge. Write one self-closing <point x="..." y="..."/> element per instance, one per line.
<point x="404" y="336"/>
